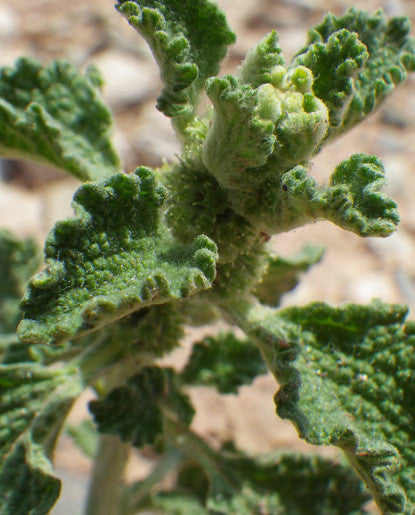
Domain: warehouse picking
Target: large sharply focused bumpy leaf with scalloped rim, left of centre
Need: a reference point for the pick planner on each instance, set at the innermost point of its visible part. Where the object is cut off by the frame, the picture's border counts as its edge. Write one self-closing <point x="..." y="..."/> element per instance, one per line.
<point x="113" y="258"/>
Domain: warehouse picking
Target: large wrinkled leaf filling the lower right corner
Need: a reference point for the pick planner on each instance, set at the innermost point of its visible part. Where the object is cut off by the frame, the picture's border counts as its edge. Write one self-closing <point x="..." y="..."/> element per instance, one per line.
<point x="346" y="376"/>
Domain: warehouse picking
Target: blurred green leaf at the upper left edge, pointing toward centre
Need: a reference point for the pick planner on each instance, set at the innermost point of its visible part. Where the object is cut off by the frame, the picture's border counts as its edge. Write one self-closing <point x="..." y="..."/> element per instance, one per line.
<point x="55" y="115"/>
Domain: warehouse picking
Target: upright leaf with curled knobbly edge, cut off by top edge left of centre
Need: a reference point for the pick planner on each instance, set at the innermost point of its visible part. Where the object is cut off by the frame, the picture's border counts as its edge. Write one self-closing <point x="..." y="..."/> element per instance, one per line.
<point x="188" y="39"/>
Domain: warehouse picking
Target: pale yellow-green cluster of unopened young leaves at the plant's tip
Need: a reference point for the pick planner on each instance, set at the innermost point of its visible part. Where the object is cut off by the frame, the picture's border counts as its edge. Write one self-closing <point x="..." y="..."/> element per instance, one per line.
<point x="260" y="132"/>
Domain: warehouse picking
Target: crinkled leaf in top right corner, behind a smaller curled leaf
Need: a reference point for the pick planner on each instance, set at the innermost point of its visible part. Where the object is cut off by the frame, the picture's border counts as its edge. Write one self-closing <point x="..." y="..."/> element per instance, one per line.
<point x="391" y="56"/>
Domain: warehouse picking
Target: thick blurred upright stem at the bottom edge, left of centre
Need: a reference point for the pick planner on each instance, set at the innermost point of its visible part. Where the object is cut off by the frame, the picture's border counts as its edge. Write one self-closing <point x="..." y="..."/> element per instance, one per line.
<point x="107" y="477"/>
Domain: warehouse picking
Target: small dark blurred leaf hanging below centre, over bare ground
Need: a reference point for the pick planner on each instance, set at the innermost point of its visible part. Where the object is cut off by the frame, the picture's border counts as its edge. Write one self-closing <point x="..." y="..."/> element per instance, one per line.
<point x="225" y="362"/>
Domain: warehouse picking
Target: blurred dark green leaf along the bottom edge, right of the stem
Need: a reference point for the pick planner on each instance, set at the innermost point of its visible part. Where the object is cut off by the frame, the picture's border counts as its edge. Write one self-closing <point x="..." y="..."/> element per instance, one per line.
<point x="278" y="484"/>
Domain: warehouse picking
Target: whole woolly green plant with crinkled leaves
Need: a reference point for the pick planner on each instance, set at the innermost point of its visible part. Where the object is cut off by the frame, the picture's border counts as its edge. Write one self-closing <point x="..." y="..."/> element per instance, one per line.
<point x="148" y="252"/>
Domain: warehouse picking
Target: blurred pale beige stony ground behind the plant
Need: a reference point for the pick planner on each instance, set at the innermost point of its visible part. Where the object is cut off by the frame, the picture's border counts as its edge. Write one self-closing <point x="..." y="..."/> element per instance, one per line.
<point x="356" y="270"/>
